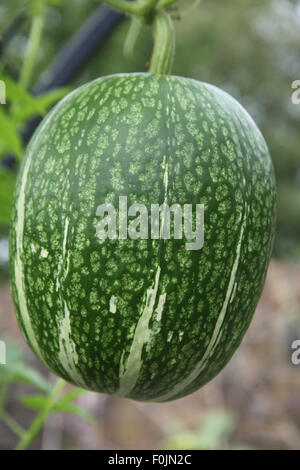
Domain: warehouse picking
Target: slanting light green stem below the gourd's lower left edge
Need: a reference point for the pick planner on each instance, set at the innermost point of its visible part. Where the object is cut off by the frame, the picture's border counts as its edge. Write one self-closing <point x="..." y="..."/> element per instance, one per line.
<point x="39" y="421"/>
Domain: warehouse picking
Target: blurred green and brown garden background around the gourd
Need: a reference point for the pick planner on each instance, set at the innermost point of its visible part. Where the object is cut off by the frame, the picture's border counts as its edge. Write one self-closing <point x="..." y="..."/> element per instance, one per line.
<point x="249" y="48"/>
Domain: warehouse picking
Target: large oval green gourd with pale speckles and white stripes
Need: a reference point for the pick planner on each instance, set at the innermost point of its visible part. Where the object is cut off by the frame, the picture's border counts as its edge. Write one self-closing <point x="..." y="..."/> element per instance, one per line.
<point x="144" y="318"/>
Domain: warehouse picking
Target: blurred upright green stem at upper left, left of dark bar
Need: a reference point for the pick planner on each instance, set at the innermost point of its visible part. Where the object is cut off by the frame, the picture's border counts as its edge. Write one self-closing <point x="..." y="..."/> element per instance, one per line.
<point x="32" y="48"/>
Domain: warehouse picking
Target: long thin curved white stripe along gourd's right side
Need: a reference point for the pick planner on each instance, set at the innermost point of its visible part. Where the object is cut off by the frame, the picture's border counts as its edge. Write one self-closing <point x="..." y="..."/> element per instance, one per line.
<point x="217" y="333"/>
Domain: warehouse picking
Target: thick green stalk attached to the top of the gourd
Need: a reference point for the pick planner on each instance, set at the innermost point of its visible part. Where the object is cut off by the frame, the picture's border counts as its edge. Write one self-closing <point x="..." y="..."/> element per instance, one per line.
<point x="164" y="44"/>
